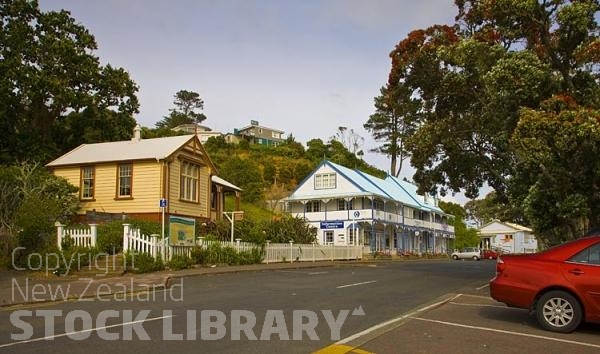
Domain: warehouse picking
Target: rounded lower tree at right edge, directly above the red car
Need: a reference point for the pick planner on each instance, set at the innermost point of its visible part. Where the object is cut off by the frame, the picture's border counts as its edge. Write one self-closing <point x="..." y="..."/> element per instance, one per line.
<point x="558" y="149"/>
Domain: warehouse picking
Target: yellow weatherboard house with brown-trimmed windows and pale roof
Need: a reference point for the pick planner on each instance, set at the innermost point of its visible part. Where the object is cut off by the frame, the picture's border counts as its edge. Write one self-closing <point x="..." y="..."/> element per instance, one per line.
<point x="129" y="178"/>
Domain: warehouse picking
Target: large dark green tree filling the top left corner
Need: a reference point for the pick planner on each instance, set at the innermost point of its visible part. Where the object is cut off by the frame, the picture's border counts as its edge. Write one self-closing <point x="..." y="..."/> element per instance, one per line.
<point x="54" y="94"/>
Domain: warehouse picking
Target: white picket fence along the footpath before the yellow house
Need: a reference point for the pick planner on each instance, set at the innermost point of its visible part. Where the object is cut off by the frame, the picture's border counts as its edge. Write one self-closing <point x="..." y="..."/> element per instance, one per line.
<point x="135" y="241"/>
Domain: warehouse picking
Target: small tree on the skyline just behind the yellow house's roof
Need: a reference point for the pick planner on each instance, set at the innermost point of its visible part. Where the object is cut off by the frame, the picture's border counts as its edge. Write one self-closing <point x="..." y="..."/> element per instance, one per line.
<point x="187" y="104"/>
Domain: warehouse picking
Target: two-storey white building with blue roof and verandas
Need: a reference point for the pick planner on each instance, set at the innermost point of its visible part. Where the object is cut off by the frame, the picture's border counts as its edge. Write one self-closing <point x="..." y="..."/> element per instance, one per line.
<point x="350" y="207"/>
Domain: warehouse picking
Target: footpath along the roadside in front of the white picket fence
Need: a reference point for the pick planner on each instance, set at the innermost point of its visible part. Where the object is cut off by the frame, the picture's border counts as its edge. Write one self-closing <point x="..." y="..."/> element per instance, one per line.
<point x="21" y="287"/>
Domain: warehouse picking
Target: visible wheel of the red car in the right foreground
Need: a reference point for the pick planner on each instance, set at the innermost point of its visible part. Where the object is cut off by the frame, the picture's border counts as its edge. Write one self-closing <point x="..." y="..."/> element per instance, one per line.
<point x="558" y="311"/>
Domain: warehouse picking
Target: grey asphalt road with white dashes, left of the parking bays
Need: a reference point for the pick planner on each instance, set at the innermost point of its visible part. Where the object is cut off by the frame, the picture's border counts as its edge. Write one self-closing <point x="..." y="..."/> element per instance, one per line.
<point x="291" y="311"/>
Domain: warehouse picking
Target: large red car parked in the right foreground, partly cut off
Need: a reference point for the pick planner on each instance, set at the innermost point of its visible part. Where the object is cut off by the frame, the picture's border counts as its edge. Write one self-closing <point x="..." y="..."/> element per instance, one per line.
<point x="560" y="285"/>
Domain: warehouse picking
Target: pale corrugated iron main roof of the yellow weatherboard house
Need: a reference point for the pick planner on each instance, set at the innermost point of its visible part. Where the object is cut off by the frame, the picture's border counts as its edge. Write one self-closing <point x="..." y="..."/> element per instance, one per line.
<point x="158" y="148"/>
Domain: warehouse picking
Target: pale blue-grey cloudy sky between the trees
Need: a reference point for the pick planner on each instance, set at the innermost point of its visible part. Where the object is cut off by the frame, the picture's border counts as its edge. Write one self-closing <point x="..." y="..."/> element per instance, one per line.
<point x="305" y="67"/>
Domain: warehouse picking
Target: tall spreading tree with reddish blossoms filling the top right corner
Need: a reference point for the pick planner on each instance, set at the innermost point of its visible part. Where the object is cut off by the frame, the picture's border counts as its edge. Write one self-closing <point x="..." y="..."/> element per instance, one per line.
<point x="472" y="79"/>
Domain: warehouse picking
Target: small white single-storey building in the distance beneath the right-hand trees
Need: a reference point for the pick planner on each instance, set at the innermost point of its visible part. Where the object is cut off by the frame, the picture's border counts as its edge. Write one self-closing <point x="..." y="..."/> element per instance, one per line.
<point x="508" y="237"/>
